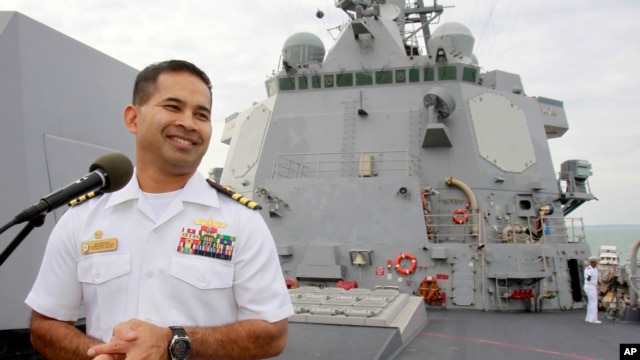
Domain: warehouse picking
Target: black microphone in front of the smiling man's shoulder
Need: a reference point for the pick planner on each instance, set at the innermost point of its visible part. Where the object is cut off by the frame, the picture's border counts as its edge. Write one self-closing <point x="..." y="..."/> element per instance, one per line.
<point x="108" y="173"/>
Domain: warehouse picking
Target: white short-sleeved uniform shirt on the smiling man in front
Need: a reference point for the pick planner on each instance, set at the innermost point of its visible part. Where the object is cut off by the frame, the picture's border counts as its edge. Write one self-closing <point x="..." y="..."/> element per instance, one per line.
<point x="158" y="273"/>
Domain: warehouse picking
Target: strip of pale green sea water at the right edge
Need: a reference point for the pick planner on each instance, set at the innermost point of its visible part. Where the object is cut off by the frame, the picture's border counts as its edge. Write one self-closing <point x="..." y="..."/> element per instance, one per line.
<point x="622" y="236"/>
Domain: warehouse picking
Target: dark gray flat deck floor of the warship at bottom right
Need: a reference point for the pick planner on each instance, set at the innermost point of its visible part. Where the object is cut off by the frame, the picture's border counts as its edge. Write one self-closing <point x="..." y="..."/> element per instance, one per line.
<point x="471" y="335"/>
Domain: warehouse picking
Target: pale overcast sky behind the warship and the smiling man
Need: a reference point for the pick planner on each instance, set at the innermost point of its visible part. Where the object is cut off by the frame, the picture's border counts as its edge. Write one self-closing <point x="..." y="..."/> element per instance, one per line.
<point x="582" y="52"/>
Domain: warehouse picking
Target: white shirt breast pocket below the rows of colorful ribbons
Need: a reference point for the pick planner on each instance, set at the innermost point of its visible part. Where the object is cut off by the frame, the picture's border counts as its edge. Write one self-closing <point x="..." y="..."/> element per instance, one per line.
<point x="201" y="291"/>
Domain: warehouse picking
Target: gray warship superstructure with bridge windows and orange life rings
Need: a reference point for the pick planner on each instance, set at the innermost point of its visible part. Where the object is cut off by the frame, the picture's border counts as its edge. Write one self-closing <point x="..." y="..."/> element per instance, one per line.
<point x="382" y="165"/>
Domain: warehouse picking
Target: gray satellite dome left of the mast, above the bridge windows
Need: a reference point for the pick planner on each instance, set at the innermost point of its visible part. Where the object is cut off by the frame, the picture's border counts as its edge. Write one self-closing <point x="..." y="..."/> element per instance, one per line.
<point x="303" y="48"/>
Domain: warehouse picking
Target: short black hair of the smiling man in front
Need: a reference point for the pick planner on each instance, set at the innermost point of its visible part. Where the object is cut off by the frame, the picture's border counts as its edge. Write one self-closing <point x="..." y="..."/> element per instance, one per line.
<point x="145" y="84"/>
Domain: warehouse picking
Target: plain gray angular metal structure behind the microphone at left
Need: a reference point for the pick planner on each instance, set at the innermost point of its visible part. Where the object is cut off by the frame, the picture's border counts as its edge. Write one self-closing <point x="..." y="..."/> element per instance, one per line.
<point x="60" y="108"/>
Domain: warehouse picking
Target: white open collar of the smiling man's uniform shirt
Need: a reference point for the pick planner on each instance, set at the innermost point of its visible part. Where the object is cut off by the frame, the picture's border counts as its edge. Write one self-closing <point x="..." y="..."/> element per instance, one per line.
<point x="196" y="190"/>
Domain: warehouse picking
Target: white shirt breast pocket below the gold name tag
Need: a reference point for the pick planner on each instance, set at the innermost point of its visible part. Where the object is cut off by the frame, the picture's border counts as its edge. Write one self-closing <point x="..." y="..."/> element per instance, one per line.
<point x="104" y="287"/>
